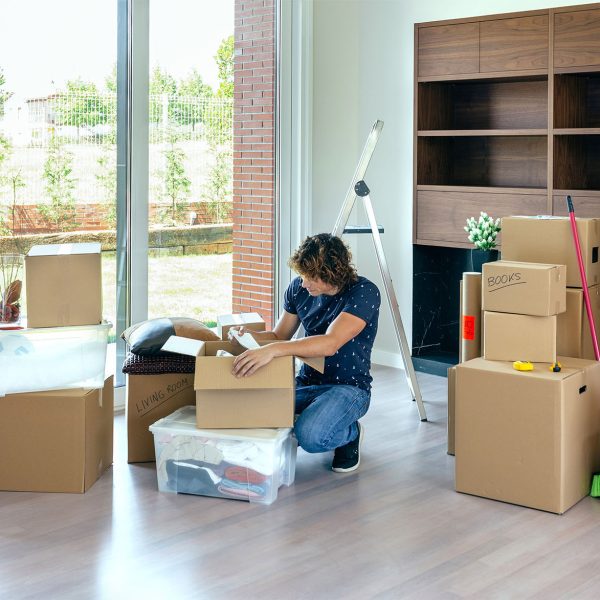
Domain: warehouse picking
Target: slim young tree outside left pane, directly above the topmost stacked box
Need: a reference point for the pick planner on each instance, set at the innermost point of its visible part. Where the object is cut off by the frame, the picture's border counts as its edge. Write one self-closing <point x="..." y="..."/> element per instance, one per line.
<point x="60" y="185"/>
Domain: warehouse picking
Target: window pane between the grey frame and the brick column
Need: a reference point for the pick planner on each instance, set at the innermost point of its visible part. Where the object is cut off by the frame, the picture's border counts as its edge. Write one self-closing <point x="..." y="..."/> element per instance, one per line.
<point x="190" y="158"/>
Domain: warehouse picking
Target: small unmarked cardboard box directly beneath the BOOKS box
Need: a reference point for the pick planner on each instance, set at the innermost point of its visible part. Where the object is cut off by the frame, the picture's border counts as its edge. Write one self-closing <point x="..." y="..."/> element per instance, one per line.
<point x="519" y="337"/>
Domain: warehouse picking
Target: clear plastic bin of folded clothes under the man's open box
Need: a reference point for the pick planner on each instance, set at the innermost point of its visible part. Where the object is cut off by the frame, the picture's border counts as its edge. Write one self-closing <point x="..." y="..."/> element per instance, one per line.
<point x="242" y="464"/>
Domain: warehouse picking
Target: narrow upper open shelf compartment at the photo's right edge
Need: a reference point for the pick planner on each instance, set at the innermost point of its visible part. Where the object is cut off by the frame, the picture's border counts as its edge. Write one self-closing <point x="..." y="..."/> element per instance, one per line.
<point x="577" y="100"/>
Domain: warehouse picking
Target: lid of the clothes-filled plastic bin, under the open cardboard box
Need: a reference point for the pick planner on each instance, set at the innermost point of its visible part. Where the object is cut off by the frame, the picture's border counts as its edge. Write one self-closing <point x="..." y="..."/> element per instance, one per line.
<point x="183" y="422"/>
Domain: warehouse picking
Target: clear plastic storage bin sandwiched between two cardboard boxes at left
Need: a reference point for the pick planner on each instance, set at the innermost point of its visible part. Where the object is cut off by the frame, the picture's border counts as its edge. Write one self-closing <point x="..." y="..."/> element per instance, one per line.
<point x="52" y="358"/>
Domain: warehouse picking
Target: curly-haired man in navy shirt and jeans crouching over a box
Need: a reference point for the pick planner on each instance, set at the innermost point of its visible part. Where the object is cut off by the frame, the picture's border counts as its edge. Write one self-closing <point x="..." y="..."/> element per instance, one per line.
<point x="339" y="311"/>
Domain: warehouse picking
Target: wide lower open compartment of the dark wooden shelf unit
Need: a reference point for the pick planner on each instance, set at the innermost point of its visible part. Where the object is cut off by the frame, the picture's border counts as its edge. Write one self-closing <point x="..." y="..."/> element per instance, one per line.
<point x="483" y="161"/>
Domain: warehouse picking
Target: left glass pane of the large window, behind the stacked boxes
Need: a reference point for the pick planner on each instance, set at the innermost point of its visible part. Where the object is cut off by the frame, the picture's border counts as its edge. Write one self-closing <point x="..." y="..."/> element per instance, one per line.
<point x="58" y="129"/>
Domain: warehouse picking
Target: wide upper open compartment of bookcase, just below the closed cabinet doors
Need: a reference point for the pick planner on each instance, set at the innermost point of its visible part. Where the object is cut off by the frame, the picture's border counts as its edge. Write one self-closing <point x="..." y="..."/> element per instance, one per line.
<point x="520" y="103"/>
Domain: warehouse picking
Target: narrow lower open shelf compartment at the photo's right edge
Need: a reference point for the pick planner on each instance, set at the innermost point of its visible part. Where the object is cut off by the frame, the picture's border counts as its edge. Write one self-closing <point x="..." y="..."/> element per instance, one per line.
<point x="576" y="162"/>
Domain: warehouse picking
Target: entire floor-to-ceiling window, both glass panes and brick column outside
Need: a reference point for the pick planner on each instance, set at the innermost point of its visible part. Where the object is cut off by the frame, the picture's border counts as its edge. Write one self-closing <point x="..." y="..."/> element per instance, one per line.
<point x="183" y="202"/>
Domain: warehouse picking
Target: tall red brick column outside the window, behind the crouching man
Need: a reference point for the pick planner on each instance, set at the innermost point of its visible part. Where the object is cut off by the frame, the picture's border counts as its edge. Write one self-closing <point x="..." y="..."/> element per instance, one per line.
<point x="254" y="158"/>
